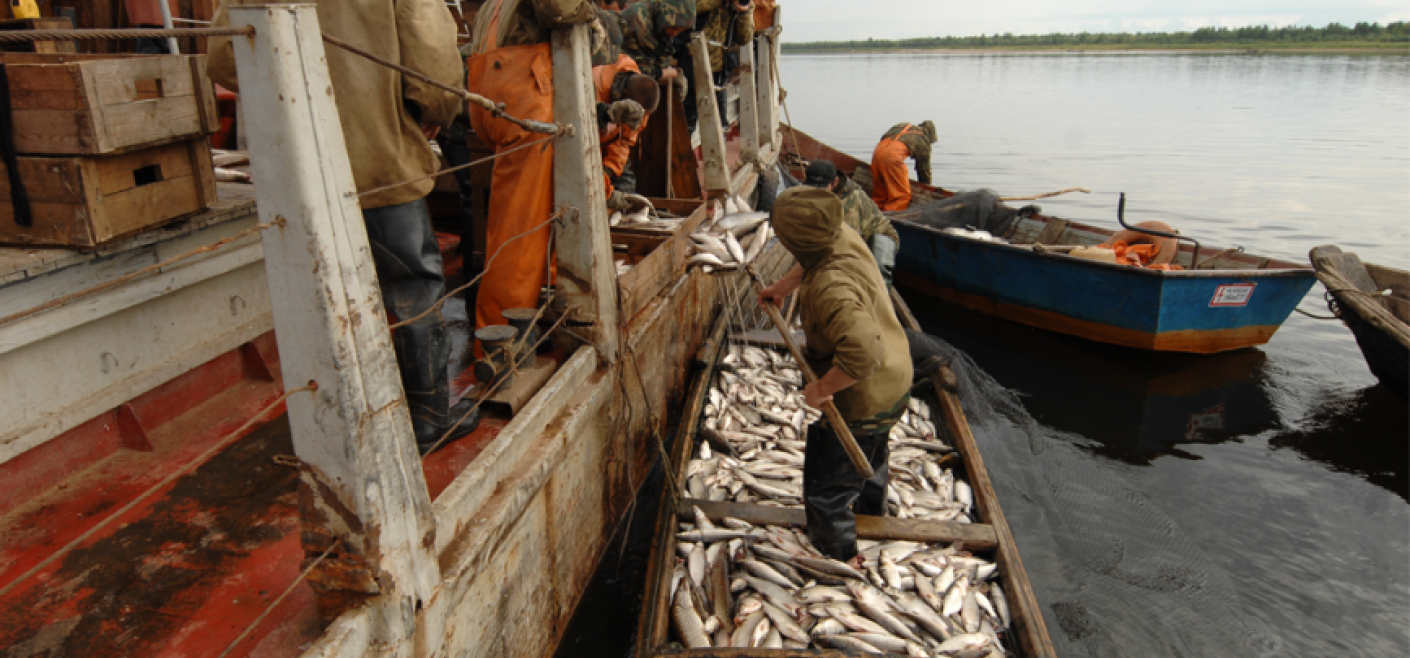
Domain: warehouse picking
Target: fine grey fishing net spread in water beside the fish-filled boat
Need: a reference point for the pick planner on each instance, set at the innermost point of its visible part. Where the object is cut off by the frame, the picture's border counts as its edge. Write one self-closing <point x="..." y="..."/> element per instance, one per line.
<point x="1112" y="571"/>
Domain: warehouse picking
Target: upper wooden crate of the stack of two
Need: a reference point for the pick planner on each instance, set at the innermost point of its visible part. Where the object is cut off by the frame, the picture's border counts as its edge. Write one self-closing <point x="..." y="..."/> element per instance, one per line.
<point x="77" y="105"/>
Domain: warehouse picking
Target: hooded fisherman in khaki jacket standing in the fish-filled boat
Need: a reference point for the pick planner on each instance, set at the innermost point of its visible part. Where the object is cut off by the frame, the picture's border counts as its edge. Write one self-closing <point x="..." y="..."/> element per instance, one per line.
<point x="857" y="342"/>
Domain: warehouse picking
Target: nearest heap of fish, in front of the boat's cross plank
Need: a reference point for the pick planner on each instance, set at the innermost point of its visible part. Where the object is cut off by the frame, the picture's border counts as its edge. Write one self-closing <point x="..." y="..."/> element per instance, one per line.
<point x="738" y="585"/>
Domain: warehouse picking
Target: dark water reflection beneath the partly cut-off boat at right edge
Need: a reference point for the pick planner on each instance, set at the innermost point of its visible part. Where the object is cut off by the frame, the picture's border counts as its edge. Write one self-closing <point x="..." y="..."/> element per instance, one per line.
<point x="1366" y="433"/>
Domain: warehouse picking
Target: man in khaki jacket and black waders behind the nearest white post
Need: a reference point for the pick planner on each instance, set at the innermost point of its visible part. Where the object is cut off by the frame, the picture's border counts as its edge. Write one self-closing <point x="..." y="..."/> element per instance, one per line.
<point x="387" y="122"/>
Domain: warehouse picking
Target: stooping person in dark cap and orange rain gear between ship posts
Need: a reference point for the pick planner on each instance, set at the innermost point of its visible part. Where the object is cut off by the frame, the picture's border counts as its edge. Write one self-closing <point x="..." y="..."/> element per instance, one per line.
<point x="627" y="99"/>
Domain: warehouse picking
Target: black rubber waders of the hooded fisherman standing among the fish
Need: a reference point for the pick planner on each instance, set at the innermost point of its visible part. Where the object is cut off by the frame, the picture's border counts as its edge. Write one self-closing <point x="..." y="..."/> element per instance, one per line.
<point x="831" y="485"/>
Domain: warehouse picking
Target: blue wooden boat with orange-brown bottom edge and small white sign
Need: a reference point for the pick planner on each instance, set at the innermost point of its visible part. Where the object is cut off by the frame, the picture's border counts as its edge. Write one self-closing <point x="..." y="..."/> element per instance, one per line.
<point x="1227" y="301"/>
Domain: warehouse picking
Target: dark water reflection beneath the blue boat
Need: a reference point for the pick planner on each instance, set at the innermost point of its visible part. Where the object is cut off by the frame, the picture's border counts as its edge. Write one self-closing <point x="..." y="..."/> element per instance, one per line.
<point x="1136" y="405"/>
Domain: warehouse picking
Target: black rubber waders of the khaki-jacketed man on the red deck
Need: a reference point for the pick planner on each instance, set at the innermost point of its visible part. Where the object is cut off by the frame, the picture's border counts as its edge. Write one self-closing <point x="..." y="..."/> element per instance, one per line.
<point x="410" y="271"/>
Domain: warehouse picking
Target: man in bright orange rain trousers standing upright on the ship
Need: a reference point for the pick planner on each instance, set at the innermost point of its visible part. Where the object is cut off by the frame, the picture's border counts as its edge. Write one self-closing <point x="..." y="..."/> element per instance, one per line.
<point x="510" y="63"/>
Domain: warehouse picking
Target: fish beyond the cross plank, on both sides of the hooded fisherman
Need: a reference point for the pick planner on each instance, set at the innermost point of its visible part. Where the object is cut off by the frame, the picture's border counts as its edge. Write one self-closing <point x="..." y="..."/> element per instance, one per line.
<point x="756" y="423"/>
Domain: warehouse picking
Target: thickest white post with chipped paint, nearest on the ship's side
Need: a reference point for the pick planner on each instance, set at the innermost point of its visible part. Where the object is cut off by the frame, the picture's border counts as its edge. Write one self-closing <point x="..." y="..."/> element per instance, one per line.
<point x="362" y="483"/>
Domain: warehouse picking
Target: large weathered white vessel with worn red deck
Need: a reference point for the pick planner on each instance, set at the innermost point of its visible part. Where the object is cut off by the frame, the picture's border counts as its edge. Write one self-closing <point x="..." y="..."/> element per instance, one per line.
<point x="164" y="499"/>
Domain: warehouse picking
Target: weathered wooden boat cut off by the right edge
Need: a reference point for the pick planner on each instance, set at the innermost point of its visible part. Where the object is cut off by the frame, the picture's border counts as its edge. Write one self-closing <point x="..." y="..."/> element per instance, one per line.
<point x="1375" y="304"/>
